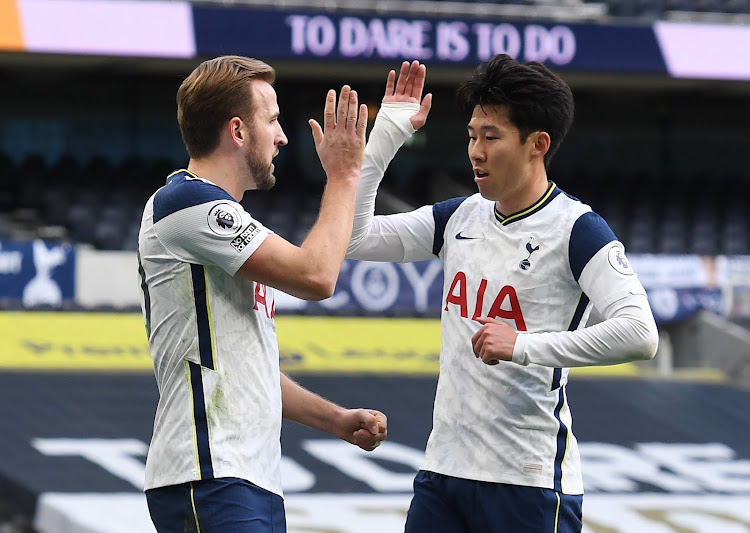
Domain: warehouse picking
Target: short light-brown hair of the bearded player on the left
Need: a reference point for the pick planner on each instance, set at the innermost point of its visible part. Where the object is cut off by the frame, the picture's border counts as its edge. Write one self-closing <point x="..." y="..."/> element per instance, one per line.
<point x="217" y="90"/>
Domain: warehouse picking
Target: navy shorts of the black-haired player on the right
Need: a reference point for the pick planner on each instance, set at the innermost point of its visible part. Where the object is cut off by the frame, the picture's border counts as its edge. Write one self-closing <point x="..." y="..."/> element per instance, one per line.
<point x="445" y="504"/>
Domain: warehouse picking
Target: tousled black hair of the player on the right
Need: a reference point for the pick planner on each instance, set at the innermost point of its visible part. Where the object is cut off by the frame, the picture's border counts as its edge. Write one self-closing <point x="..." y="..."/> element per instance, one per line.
<point x="536" y="98"/>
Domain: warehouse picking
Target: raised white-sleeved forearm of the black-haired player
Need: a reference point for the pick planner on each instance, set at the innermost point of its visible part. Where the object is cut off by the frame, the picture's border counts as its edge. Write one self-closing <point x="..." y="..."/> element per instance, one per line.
<point x="392" y="127"/>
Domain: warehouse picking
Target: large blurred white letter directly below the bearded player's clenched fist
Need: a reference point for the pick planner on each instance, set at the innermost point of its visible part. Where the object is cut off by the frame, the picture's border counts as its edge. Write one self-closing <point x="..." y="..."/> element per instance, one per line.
<point x="361" y="465"/>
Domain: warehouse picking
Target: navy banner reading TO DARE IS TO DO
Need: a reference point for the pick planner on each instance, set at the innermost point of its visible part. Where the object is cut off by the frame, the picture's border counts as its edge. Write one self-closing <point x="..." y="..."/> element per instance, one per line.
<point x="325" y="36"/>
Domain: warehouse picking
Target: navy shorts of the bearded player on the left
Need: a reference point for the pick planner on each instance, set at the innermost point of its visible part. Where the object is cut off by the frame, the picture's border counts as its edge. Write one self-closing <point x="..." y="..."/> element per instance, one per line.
<point x="225" y="505"/>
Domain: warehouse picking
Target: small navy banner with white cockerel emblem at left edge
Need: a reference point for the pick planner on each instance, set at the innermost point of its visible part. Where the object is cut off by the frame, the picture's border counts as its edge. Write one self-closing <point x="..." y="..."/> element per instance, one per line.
<point x="37" y="273"/>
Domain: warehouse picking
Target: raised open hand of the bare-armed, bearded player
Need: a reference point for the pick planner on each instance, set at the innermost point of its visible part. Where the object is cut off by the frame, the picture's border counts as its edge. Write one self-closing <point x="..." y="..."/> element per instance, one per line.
<point x="340" y="143"/>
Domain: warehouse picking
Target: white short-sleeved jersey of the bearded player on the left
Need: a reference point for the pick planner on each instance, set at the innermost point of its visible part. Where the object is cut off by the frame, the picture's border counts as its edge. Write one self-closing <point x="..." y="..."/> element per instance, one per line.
<point x="212" y="337"/>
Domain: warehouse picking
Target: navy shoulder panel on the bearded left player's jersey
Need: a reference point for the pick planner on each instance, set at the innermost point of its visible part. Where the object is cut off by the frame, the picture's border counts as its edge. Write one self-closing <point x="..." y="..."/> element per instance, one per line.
<point x="184" y="190"/>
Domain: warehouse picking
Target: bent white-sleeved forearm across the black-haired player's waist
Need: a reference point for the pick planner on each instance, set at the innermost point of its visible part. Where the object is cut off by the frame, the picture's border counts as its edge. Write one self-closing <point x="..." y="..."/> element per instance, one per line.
<point x="629" y="334"/>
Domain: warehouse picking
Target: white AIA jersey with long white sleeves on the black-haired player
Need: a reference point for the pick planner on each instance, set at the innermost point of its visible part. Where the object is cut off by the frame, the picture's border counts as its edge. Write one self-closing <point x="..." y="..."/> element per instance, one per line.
<point x="540" y="271"/>
